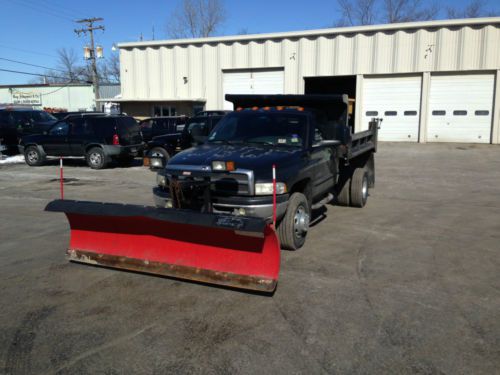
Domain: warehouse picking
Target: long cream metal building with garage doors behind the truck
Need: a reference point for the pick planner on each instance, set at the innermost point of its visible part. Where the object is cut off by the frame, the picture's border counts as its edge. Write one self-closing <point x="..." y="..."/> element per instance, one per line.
<point x="435" y="81"/>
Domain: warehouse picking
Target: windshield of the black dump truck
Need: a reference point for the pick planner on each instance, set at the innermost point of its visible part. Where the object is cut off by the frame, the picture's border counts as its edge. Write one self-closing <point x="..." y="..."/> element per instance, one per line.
<point x="271" y="128"/>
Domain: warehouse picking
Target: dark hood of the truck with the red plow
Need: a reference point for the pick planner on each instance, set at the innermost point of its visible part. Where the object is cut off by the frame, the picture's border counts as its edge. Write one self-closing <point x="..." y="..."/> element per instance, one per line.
<point x="257" y="158"/>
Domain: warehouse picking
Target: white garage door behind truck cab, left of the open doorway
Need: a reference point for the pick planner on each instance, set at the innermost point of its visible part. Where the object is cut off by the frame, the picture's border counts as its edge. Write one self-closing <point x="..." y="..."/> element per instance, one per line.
<point x="252" y="82"/>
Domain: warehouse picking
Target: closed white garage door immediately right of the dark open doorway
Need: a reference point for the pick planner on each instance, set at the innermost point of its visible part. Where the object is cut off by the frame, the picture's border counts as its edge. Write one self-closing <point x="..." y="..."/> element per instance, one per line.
<point x="397" y="101"/>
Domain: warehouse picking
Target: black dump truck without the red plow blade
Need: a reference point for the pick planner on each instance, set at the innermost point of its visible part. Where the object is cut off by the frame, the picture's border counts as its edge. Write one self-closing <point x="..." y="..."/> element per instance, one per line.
<point x="318" y="159"/>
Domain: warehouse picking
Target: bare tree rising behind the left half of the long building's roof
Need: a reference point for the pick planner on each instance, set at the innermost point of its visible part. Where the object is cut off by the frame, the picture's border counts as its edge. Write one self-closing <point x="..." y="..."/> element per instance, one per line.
<point x="196" y="19"/>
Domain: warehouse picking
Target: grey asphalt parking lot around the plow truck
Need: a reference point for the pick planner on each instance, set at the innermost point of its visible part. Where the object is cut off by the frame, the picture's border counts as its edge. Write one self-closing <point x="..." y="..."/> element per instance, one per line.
<point x="408" y="284"/>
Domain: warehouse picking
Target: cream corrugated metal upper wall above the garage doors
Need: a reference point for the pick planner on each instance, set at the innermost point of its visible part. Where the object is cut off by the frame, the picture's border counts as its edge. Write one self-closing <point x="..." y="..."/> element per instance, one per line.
<point x="157" y="72"/>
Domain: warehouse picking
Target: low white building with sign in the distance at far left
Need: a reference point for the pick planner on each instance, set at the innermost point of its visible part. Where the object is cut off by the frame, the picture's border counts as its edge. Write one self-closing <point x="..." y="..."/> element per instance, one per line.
<point x="72" y="97"/>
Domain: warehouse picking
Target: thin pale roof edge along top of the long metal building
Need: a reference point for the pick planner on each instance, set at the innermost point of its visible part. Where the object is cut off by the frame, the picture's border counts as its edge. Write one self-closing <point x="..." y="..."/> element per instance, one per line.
<point x="318" y="32"/>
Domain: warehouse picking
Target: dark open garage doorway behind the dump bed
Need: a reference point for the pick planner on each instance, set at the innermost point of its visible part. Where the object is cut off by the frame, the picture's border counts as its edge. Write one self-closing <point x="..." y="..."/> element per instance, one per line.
<point x="334" y="85"/>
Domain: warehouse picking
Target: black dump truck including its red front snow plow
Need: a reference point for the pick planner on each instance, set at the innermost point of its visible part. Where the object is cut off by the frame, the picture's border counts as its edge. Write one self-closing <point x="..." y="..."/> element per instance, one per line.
<point x="225" y="208"/>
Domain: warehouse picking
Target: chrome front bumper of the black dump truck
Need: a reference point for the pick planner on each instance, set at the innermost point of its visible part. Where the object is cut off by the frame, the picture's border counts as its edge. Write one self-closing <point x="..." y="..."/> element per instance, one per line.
<point x="255" y="206"/>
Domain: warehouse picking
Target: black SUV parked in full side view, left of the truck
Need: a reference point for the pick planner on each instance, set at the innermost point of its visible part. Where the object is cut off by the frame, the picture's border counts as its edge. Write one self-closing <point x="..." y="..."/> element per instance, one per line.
<point x="99" y="138"/>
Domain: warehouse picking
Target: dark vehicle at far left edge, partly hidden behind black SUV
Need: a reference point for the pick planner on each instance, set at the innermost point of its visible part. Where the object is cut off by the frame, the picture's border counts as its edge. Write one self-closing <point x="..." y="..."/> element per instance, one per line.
<point x="18" y="122"/>
